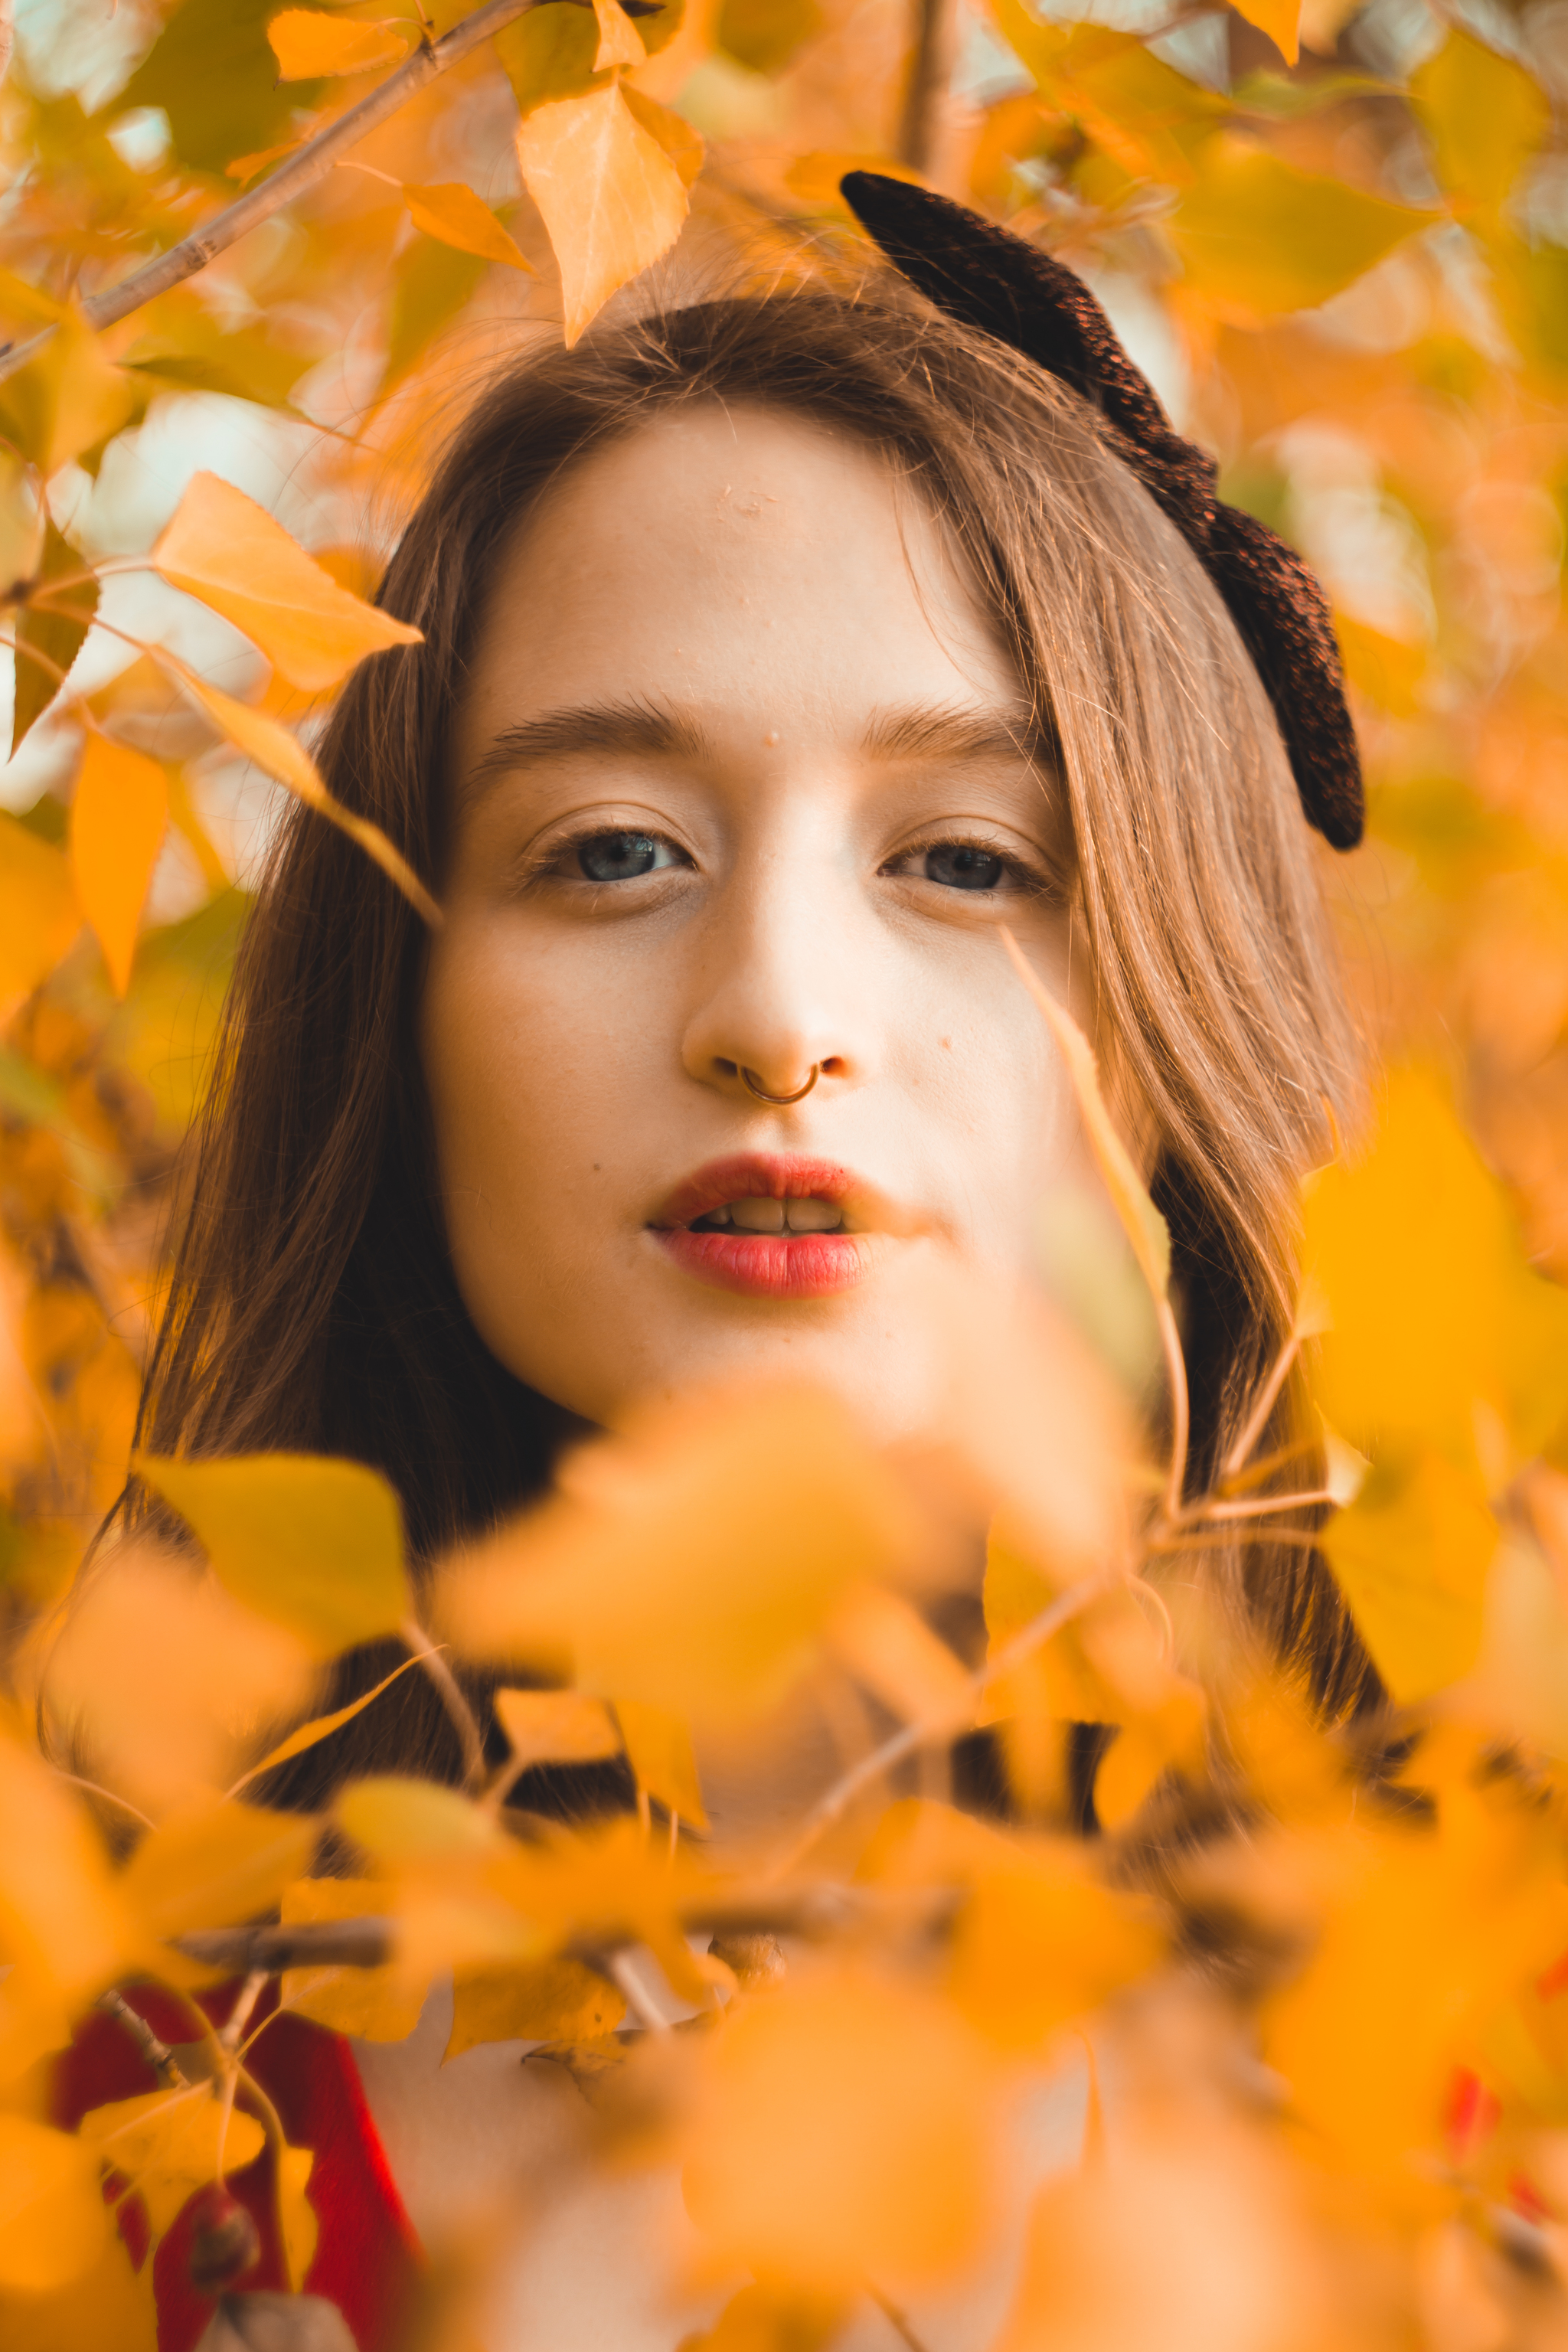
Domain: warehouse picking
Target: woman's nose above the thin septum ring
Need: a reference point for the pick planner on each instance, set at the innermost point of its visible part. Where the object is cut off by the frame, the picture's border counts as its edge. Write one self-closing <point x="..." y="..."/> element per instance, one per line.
<point x="777" y="1003"/>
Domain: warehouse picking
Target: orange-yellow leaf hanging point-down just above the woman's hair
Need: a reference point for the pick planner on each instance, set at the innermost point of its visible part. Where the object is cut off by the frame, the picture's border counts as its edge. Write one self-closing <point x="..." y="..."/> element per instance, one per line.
<point x="608" y="192"/>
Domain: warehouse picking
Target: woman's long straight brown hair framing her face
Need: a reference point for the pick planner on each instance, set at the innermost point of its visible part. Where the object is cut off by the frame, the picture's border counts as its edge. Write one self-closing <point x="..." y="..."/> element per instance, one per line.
<point x="314" y="1302"/>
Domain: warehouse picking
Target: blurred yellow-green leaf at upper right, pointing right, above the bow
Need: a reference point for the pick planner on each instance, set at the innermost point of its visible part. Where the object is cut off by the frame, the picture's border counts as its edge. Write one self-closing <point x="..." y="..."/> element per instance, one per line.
<point x="1259" y="236"/>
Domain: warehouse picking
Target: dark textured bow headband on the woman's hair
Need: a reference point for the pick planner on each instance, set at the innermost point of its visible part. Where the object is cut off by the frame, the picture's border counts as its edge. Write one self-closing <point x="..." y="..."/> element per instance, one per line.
<point x="993" y="281"/>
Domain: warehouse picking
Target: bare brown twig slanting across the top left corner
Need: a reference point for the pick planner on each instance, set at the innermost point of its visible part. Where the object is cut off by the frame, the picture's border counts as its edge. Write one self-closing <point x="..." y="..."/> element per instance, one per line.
<point x="290" y="180"/>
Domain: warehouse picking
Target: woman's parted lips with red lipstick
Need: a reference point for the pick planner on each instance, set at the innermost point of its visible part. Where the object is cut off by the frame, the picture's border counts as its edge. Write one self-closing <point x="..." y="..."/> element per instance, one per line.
<point x="770" y="1264"/>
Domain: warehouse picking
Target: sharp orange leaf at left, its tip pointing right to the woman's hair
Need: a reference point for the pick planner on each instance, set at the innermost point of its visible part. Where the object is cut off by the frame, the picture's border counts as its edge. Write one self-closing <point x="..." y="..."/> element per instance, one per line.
<point x="232" y="554"/>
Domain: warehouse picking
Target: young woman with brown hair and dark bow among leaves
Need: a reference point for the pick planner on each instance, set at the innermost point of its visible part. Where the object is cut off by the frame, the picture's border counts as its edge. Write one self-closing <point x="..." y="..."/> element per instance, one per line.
<point x="775" y="655"/>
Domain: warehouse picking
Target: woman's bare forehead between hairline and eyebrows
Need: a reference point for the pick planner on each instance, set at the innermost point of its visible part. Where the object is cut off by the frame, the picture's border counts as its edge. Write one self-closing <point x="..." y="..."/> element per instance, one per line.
<point x="735" y="556"/>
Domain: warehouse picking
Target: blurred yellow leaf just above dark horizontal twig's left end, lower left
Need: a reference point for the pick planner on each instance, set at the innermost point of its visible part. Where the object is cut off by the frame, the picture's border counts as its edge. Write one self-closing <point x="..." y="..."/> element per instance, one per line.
<point x="215" y="1864"/>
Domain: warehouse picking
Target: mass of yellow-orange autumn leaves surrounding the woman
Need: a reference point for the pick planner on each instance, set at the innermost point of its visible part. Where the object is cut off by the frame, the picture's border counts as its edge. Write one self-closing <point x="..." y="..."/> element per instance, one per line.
<point x="1294" y="2083"/>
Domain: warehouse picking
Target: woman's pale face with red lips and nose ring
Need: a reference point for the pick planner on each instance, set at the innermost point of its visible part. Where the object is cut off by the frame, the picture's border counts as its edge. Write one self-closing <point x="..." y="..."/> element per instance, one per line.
<point x="744" y="782"/>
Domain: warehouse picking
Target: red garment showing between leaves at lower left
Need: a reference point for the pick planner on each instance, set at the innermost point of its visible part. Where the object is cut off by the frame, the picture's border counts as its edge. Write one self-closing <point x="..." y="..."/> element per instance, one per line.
<point x="368" y="2257"/>
